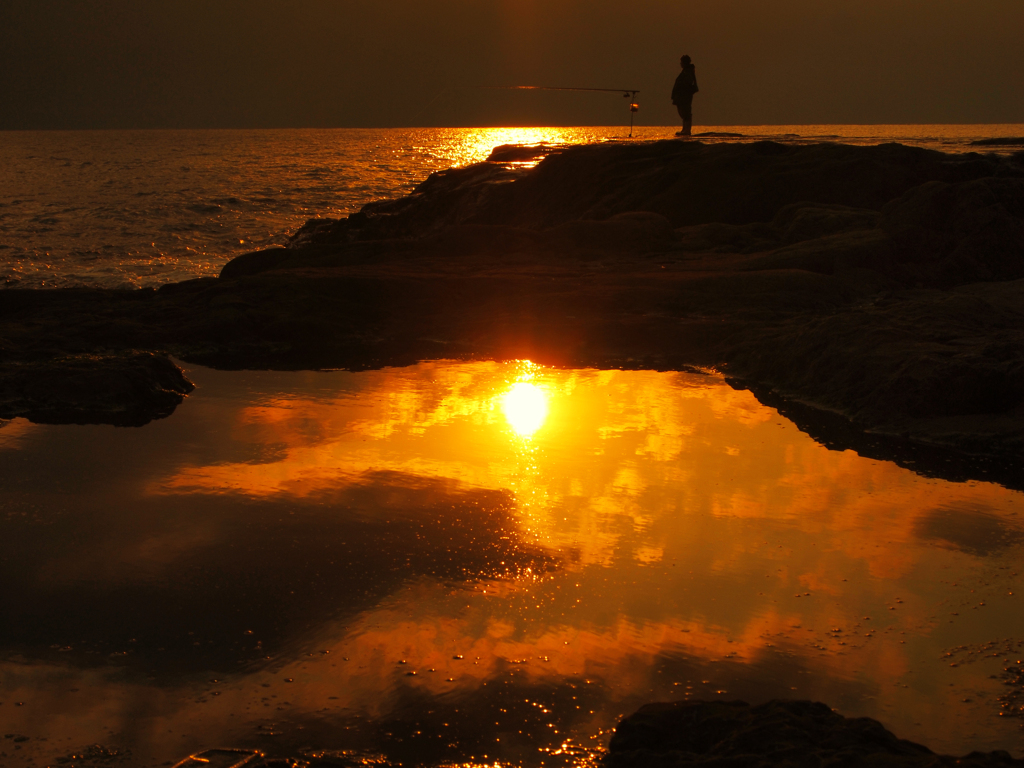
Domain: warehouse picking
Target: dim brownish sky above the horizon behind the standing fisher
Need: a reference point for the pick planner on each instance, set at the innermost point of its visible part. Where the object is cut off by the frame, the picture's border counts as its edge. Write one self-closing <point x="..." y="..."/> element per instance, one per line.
<point x="212" y="64"/>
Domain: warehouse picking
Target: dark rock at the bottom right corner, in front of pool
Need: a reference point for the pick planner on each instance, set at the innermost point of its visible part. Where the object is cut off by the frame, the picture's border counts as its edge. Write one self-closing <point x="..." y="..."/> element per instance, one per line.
<point x="777" y="734"/>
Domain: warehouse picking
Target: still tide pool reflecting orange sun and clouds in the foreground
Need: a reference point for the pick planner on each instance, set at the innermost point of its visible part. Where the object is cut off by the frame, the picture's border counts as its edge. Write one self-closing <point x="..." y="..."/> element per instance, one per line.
<point x="484" y="563"/>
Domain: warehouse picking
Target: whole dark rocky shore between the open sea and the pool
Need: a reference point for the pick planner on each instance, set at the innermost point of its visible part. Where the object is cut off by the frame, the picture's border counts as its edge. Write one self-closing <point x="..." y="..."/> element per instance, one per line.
<point x="884" y="285"/>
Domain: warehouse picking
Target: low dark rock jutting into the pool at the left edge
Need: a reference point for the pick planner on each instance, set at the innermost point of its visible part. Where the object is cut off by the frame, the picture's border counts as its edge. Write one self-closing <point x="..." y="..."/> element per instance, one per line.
<point x="129" y="390"/>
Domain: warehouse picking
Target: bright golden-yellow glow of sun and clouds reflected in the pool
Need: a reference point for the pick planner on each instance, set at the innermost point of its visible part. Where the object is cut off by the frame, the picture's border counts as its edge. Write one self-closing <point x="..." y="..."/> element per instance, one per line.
<point x="596" y="460"/>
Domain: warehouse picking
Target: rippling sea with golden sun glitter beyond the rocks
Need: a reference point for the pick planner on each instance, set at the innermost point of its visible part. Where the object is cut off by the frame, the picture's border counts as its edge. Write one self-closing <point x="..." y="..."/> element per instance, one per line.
<point x="135" y="209"/>
